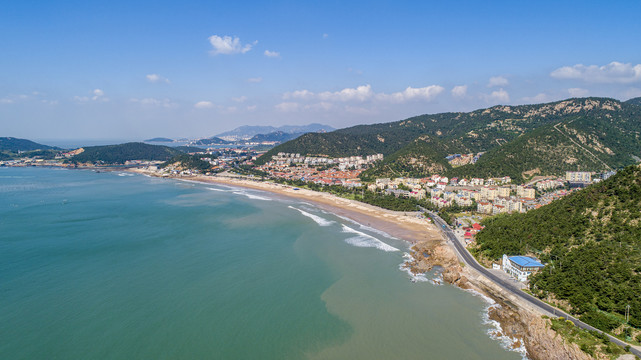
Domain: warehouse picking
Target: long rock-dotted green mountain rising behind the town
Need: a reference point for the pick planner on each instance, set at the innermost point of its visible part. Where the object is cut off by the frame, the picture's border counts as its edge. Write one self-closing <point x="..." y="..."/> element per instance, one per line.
<point x="576" y="134"/>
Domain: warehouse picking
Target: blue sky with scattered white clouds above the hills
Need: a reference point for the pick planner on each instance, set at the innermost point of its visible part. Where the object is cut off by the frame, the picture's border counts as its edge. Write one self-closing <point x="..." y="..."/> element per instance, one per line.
<point x="139" y="69"/>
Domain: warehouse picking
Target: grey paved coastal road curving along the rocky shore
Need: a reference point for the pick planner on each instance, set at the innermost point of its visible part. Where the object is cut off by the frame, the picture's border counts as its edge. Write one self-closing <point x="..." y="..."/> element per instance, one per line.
<point x="512" y="288"/>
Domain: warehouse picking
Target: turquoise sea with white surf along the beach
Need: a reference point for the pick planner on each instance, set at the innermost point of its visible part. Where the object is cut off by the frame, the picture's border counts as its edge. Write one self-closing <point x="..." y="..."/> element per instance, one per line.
<point x="115" y="265"/>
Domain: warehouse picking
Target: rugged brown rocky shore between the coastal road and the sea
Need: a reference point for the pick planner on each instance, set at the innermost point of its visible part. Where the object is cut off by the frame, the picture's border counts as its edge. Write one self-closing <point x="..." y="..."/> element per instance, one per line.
<point x="522" y="325"/>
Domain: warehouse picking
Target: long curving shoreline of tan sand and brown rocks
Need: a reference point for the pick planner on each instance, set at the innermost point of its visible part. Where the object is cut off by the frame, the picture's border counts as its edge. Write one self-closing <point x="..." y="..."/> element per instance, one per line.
<point x="520" y="328"/>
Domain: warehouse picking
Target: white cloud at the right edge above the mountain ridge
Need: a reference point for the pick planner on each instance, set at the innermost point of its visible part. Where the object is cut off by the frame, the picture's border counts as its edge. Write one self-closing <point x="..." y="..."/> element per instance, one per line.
<point x="614" y="72"/>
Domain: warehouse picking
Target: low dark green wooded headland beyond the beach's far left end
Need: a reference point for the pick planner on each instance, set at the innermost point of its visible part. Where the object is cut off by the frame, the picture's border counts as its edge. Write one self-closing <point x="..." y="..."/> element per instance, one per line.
<point x="118" y="154"/>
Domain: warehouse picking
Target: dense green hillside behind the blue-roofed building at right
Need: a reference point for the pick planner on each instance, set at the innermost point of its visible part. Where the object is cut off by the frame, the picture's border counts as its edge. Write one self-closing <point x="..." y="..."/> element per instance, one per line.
<point x="592" y="241"/>
